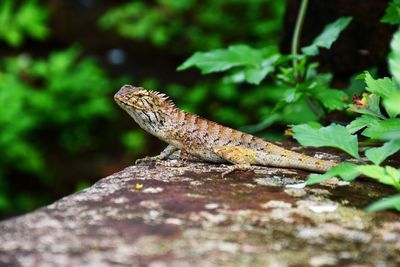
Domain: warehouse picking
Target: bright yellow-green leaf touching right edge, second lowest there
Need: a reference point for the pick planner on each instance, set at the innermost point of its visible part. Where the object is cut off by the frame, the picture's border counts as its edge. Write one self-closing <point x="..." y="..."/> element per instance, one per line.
<point x="387" y="175"/>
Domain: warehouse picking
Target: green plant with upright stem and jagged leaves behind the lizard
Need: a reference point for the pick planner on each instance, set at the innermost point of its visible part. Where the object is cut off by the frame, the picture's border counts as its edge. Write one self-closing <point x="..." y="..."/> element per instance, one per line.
<point x="301" y="85"/>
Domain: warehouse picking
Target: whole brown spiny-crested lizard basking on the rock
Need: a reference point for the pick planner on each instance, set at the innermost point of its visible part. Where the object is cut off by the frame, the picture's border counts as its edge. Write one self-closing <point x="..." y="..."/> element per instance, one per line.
<point x="205" y="139"/>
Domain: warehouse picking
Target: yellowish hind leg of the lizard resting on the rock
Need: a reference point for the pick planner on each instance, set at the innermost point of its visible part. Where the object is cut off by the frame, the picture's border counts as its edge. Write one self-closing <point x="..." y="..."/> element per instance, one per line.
<point x="241" y="157"/>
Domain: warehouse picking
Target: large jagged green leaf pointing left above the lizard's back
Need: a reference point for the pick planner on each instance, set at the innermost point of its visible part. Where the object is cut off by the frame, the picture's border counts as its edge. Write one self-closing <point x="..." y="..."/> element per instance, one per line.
<point x="224" y="59"/>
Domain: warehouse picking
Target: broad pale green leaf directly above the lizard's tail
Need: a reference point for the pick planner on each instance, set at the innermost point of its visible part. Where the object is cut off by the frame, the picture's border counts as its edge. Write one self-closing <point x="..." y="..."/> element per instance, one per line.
<point x="332" y="136"/>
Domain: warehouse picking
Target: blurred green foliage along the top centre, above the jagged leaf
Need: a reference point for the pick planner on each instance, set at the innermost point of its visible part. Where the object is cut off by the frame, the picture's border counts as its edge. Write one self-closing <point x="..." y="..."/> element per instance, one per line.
<point x="187" y="25"/>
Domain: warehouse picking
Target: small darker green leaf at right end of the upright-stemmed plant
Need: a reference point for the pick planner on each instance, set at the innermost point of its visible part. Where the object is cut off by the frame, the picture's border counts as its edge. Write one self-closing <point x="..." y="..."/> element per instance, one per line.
<point x="332" y="99"/>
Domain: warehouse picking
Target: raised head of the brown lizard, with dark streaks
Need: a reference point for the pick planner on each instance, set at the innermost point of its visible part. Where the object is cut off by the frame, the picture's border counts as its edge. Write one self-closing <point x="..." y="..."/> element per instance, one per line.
<point x="150" y="109"/>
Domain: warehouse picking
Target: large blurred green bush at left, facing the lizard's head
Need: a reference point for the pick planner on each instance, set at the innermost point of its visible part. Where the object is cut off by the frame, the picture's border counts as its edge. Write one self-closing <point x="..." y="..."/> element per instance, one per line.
<point x="46" y="106"/>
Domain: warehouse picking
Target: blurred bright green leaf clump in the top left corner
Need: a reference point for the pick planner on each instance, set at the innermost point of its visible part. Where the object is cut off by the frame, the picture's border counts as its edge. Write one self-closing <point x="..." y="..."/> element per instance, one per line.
<point x="24" y="19"/>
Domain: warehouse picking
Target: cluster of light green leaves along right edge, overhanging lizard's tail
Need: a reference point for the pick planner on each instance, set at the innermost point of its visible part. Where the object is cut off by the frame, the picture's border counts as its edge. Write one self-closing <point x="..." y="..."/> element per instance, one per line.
<point x="379" y="122"/>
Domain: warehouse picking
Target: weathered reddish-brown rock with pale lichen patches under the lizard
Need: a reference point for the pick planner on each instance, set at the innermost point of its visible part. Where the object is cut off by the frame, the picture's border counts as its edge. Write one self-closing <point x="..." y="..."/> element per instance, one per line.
<point x="156" y="215"/>
